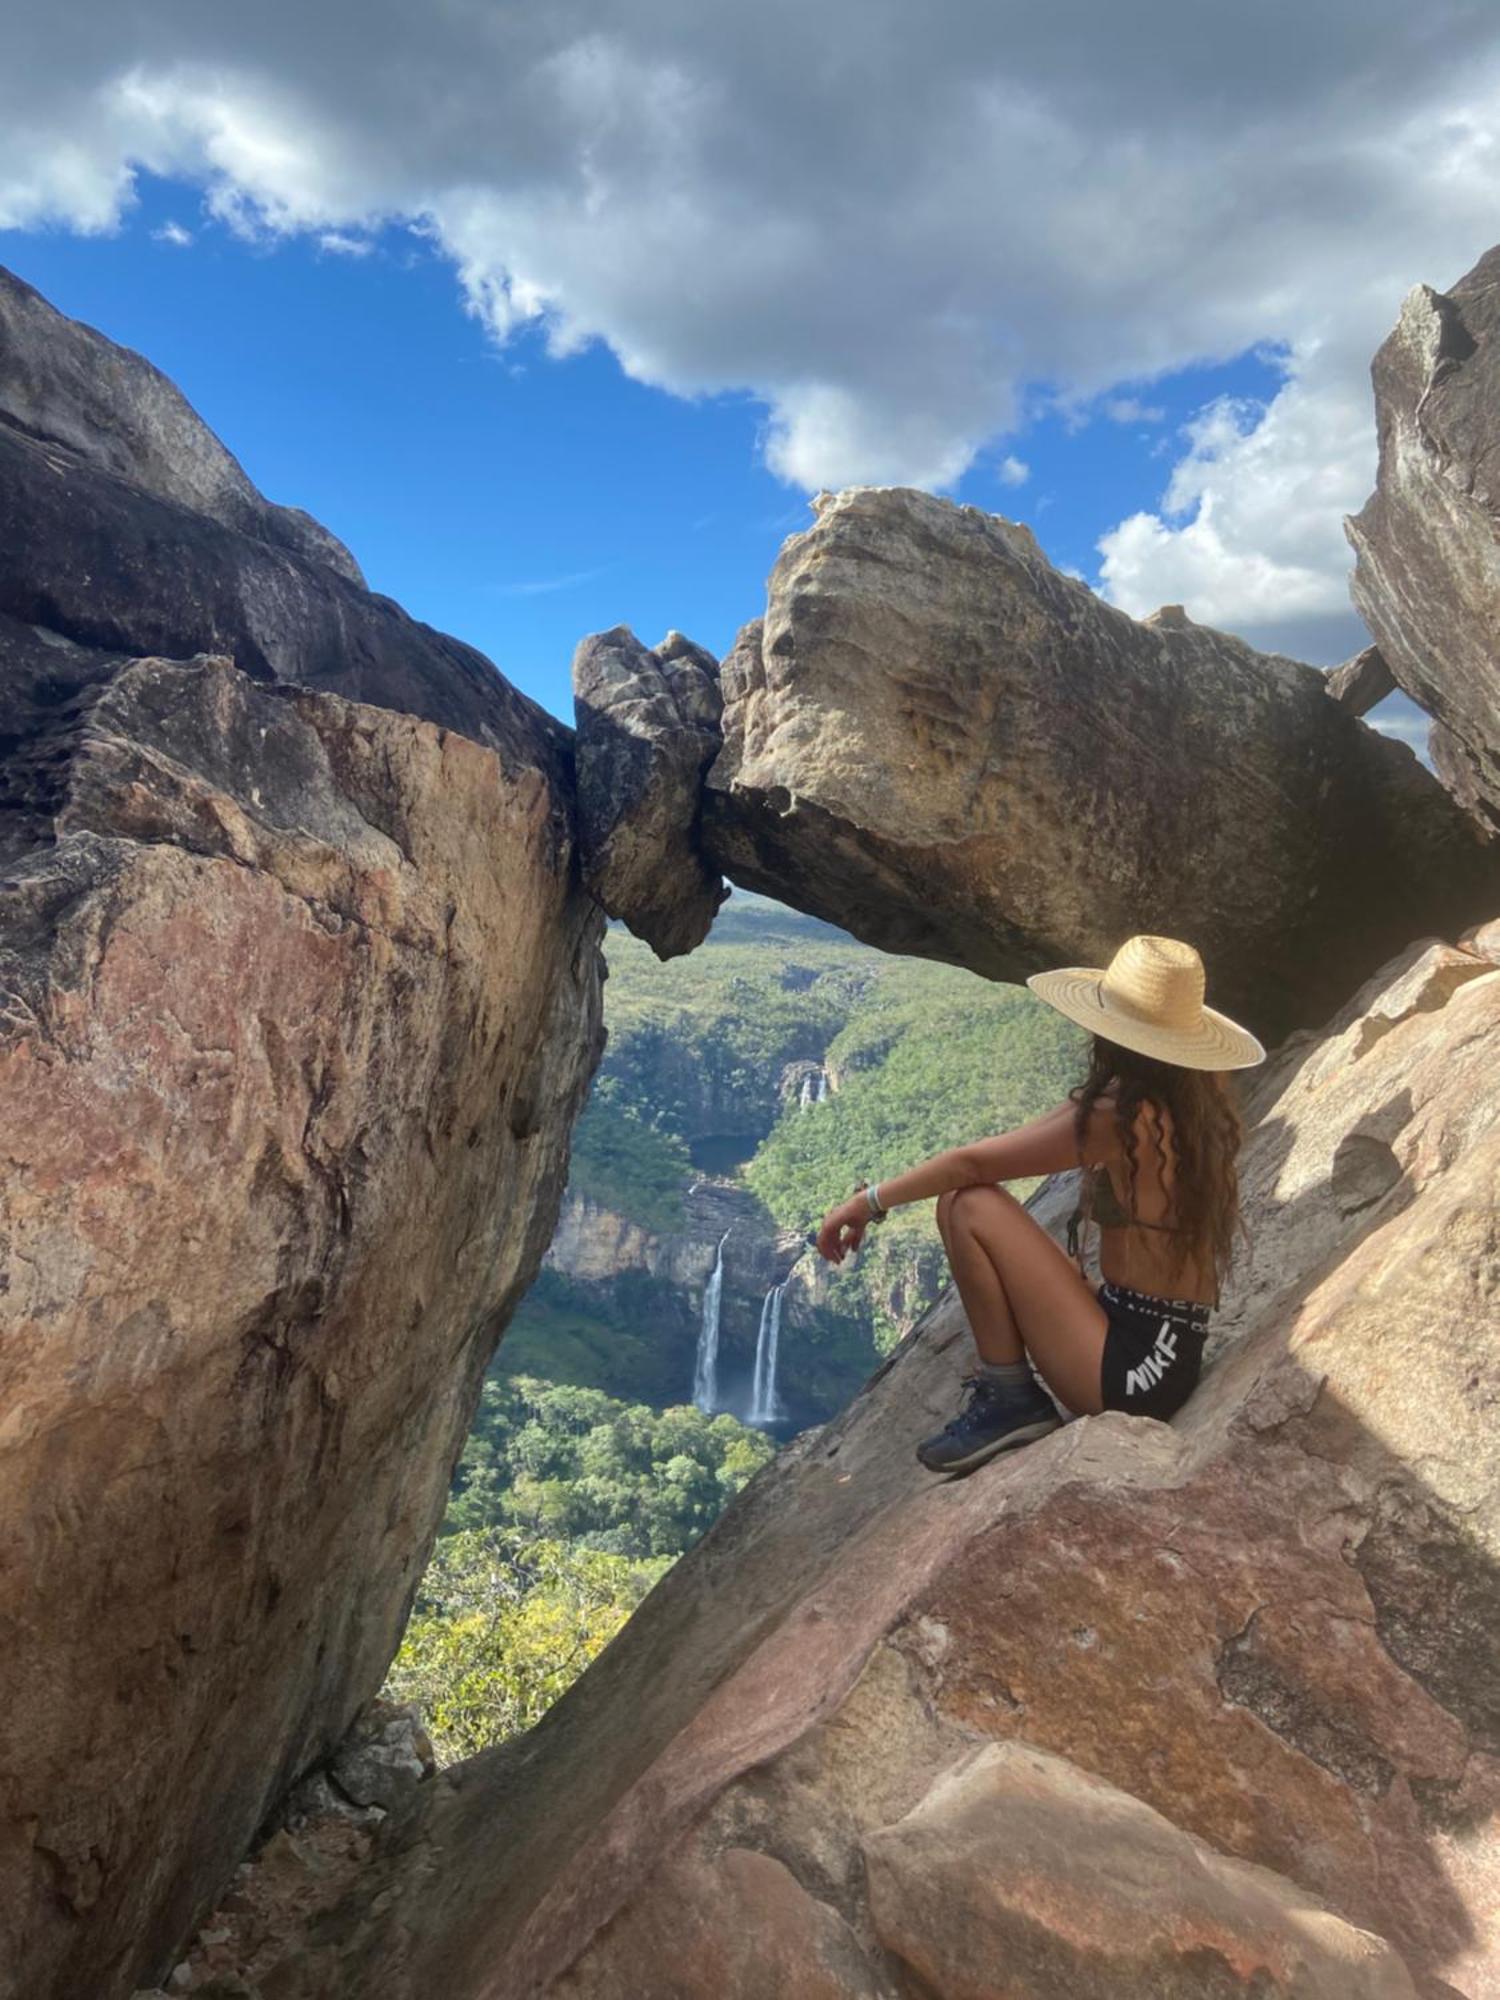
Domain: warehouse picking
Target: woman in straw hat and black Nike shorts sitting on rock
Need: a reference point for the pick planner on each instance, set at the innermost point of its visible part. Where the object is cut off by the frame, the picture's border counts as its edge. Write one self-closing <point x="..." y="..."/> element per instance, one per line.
<point x="1155" y="1131"/>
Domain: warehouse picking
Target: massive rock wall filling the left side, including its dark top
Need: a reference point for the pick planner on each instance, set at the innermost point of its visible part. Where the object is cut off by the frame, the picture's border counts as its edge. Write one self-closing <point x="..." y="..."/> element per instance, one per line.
<point x="299" y="1003"/>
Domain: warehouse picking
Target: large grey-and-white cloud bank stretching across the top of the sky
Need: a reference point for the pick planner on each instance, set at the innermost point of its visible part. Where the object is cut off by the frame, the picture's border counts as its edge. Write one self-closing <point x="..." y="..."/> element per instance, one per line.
<point x="891" y="225"/>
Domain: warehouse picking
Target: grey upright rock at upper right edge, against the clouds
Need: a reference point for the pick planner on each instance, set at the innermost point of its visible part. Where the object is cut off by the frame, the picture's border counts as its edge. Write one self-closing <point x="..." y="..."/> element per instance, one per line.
<point x="1427" y="545"/>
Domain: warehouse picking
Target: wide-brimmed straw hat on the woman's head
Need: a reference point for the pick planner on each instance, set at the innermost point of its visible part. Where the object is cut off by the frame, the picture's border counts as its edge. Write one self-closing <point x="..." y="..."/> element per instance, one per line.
<point x="1151" y="999"/>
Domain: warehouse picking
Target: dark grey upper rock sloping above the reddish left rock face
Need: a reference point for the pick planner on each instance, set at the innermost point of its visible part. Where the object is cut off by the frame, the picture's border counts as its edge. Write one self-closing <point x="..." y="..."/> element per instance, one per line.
<point x="129" y="563"/>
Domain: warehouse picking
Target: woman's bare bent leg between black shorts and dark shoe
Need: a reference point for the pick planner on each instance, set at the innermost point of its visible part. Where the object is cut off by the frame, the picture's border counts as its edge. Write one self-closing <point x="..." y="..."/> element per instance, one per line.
<point x="1023" y="1295"/>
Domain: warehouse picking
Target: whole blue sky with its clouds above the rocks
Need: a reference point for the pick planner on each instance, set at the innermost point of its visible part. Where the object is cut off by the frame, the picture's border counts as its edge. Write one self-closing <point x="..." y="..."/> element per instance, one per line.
<point x="561" y="315"/>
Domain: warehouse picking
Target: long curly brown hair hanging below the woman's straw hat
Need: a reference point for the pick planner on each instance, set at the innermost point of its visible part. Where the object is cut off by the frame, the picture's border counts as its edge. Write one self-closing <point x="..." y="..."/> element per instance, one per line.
<point x="1195" y="1121"/>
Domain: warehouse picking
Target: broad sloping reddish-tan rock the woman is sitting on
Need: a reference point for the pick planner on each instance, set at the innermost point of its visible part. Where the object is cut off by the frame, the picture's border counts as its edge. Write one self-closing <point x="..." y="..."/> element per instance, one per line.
<point x="1269" y="1623"/>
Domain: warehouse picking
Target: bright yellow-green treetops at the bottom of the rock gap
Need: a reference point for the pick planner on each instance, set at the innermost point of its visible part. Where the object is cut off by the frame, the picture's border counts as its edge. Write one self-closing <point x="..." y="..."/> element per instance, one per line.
<point x="505" y="1627"/>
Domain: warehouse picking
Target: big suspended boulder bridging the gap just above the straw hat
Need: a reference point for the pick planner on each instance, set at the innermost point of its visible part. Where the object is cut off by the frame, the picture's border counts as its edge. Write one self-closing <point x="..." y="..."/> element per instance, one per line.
<point x="941" y="743"/>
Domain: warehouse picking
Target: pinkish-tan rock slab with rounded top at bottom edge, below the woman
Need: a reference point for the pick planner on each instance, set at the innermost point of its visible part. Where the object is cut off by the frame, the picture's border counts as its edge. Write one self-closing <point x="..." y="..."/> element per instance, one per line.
<point x="1023" y="1879"/>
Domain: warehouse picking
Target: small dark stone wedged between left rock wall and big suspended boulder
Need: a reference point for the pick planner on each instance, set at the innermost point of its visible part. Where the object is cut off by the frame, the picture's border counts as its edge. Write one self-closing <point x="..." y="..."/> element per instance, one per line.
<point x="647" y="733"/>
